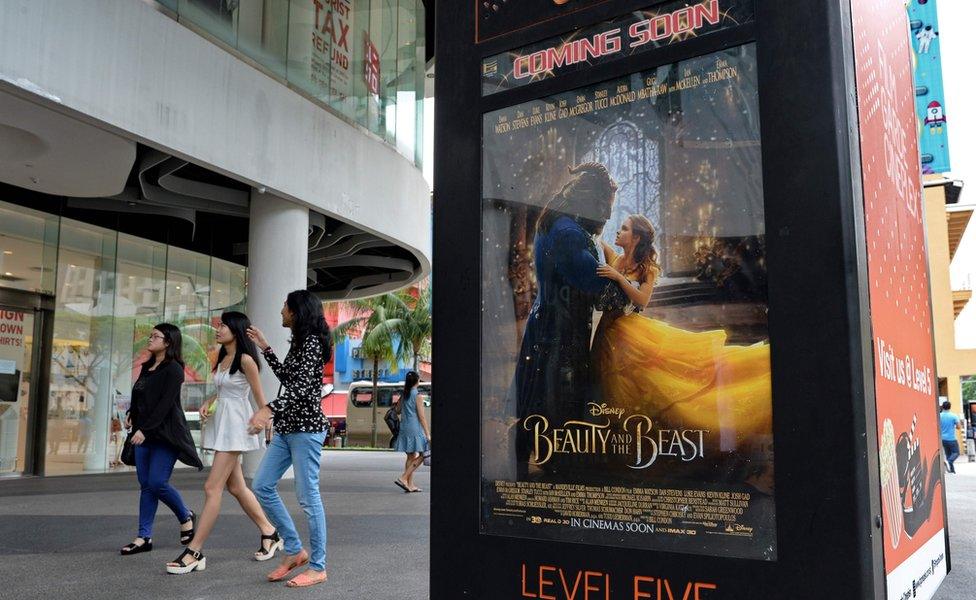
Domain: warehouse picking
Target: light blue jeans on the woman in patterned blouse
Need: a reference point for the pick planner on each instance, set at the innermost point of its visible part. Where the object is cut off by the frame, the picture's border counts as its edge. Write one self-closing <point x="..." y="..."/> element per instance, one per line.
<point x="304" y="451"/>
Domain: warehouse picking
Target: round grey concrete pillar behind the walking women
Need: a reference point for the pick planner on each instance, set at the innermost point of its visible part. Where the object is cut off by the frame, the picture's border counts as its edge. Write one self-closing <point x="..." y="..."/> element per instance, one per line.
<point x="277" y="260"/>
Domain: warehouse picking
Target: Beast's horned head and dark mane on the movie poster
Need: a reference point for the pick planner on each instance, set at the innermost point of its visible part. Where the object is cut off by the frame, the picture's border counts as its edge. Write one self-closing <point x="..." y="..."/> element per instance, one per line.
<point x="580" y="197"/>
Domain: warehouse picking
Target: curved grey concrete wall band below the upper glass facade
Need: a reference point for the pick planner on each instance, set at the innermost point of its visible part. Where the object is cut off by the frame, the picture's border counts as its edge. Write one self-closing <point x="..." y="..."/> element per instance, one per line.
<point x="127" y="67"/>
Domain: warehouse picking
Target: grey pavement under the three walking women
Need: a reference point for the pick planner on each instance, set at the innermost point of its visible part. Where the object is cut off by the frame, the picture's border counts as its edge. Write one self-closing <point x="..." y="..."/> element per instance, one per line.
<point x="59" y="538"/>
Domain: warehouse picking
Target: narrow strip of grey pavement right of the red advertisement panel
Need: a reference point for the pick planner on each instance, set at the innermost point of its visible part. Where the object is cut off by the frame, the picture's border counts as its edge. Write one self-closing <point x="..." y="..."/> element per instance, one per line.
<point x="961" y="500"/>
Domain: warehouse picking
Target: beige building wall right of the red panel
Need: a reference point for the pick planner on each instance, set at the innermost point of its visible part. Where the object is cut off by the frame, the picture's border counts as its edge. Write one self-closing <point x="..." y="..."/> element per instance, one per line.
<point x="951" y="362"/>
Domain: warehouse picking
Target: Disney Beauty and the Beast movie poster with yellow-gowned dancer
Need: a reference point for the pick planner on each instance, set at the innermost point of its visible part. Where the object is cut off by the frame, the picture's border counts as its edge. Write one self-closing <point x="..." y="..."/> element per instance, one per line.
<point x="625" y="377"/>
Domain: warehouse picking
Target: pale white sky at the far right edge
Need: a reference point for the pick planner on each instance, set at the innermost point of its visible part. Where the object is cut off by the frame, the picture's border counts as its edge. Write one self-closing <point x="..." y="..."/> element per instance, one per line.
<point x="956" y="21"/>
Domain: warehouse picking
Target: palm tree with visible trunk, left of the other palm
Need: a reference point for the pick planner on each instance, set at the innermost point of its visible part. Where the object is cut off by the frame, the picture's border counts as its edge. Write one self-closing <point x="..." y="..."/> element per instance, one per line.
<point x="379" y="318"/>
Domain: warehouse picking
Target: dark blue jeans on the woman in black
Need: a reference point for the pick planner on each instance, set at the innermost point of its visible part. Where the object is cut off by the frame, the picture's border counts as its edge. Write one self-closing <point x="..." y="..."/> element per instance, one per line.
<point x="154" y="465"/>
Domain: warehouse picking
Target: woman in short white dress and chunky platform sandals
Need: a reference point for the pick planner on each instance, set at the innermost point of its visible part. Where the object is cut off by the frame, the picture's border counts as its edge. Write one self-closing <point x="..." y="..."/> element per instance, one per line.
<point x="226" y="432"/>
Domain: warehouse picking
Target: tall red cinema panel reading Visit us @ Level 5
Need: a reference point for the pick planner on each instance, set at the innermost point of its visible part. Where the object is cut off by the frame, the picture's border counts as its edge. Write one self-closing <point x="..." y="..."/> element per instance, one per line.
<point x="909" y="443"/>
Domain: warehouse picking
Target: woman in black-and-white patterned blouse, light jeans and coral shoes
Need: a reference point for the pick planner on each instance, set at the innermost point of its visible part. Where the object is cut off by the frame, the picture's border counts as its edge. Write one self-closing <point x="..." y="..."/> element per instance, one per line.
<point x="299" y="434"/>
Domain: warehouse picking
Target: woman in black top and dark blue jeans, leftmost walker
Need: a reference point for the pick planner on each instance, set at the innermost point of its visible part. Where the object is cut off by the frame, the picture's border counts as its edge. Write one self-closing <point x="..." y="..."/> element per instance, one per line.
<point x="160" y="435"/>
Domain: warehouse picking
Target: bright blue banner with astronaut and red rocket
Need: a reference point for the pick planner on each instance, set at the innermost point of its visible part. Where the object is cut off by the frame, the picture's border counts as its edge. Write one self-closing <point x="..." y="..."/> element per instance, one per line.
<point x="933" y="131"/>
